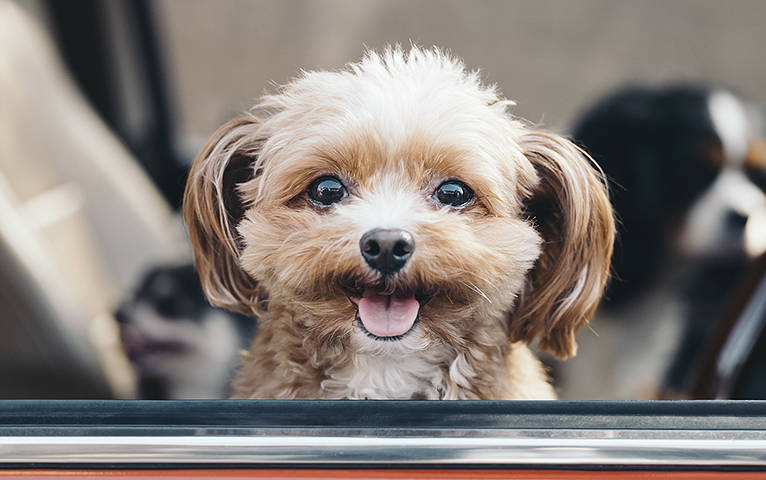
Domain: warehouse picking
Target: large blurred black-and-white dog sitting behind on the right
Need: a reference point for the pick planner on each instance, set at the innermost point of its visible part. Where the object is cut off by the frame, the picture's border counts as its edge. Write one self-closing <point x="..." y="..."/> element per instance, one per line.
<point x="687" y="166"/>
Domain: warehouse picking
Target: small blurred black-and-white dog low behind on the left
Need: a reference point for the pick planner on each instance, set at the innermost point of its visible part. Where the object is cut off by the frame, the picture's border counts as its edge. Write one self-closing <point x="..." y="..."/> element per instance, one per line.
<point x="180" y="346"/>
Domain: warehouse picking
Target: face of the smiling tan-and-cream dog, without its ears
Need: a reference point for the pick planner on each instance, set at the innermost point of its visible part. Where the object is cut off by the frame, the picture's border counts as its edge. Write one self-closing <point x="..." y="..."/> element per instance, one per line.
<point x="391" y="225"/>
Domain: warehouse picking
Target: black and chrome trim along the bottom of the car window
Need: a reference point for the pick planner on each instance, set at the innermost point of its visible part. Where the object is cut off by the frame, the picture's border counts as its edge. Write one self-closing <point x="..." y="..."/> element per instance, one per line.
<point x="685" y="435"/>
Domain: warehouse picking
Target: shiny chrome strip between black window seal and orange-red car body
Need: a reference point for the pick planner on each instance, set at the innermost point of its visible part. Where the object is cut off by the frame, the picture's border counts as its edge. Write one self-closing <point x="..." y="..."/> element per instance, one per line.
<point x="726" y="449"/>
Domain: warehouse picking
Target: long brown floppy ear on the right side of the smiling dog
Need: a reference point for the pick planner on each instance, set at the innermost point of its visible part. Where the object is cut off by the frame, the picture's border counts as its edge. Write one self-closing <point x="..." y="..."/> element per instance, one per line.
<point x="571" y="209"/>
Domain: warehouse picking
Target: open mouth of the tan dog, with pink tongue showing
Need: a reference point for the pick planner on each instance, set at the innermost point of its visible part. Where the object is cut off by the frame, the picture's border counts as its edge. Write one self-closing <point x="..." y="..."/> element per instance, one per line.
<point x="387" y="316"/>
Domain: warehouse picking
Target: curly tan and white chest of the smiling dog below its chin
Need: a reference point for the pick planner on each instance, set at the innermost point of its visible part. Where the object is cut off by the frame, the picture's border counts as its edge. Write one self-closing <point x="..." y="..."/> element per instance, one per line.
<point x="416" y="367"/>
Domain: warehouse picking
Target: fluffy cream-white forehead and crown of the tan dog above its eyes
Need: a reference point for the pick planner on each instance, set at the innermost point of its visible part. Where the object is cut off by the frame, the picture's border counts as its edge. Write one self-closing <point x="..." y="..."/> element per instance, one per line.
<point x="415" y="117"/>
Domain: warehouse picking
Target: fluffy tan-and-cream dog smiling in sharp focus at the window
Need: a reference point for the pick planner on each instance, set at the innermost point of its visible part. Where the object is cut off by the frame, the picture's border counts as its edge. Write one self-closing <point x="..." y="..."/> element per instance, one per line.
<point x="398" y="234"/>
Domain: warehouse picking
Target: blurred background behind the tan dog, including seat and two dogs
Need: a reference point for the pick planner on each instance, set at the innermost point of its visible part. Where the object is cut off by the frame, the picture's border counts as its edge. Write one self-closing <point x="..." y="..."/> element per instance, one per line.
<point x="104" y="103"/>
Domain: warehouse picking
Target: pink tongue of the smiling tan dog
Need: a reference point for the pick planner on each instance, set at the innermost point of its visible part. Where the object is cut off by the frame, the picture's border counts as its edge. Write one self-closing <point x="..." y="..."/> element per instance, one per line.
<point x="387" y="315"/>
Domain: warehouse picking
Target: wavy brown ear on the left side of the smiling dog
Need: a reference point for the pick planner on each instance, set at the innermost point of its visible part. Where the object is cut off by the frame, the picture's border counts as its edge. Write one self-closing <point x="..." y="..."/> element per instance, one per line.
<point x="213" y="207"/>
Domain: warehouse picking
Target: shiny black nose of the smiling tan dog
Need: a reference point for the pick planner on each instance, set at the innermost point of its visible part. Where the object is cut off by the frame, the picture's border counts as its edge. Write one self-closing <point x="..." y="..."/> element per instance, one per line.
<point x="387" y="250"/>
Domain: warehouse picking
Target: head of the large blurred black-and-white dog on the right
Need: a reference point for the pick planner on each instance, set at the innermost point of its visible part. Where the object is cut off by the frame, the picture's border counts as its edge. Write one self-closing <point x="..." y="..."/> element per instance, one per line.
<point x="689" y="167"/>
